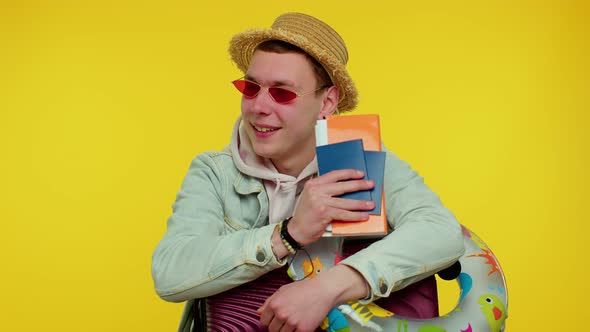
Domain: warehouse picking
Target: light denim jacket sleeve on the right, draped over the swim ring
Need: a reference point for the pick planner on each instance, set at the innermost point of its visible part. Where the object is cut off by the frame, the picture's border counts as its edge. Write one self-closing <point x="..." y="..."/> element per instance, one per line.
<point x="426" y="237"/>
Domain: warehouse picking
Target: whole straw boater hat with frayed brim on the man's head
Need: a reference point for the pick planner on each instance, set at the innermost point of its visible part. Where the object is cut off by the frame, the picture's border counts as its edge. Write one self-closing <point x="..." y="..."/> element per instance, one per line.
<point x="311" y="35"/>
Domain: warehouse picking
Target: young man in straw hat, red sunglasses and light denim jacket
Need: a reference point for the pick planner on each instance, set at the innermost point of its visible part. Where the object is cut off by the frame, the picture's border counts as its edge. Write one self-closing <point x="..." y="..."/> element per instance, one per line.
<point x="225" y="228"/>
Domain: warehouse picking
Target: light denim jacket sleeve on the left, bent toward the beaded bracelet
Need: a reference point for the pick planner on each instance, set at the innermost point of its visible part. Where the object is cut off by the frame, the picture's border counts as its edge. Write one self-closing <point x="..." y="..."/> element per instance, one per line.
<point x="200" y="255"/>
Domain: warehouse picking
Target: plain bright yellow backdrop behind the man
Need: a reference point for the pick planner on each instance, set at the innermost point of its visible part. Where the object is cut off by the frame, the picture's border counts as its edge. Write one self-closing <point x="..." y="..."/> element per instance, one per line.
<point x="103" y="104"/>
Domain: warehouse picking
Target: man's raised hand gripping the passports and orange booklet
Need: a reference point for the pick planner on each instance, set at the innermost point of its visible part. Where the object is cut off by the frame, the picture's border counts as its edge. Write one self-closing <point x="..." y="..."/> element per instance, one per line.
<point x="318" y="205"/>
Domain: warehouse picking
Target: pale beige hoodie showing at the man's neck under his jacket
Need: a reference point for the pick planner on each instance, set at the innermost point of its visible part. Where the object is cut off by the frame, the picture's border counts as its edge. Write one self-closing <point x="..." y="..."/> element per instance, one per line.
<point x="283" y="190"/>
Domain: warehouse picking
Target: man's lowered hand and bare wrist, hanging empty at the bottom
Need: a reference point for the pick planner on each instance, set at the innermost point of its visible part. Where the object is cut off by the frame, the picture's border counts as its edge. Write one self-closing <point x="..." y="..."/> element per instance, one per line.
<point x="302" y="306"/>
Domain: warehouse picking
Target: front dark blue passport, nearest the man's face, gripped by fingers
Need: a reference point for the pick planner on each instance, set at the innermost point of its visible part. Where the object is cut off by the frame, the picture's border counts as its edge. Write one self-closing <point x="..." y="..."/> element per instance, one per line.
<point x="344" y="155"/>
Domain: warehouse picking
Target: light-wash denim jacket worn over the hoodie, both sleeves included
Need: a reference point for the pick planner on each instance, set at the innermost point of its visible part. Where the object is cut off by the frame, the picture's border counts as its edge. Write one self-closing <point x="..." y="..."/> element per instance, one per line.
<point x="219" y="236"/>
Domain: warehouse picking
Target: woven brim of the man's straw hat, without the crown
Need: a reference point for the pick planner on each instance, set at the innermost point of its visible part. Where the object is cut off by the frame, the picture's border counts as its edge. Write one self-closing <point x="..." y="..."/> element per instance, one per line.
<point x="243" y="45"/>
